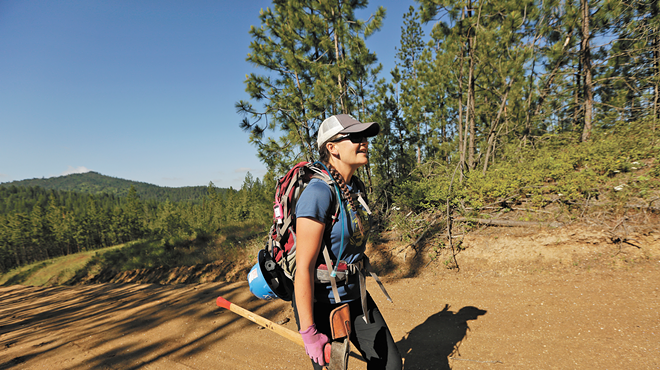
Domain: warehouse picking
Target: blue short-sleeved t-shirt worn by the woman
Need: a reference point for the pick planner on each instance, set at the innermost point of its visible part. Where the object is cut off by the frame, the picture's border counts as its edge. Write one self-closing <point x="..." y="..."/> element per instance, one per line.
<point x="316" y="202"/>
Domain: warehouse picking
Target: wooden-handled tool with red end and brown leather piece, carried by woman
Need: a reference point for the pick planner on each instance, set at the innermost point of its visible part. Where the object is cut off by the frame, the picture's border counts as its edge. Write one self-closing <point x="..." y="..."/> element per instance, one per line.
<point x="335" y="352"/>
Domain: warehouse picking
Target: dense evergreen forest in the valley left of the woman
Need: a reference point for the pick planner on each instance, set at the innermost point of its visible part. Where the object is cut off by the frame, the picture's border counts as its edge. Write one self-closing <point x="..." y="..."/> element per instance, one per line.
<point x="38" y="224"/>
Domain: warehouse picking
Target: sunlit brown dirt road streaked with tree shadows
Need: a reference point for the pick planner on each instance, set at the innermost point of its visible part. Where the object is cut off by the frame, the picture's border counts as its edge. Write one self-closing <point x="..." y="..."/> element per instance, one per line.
<point x="488" y="316"/>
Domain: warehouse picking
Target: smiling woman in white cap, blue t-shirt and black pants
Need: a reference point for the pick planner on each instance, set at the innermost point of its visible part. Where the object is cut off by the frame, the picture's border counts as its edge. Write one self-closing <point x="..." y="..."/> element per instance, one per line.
<point x="343" y="149"/>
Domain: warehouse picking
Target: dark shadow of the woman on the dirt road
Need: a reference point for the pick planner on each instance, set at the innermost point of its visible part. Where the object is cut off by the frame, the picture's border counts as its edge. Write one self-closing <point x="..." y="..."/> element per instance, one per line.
<point x="429" y="345"/>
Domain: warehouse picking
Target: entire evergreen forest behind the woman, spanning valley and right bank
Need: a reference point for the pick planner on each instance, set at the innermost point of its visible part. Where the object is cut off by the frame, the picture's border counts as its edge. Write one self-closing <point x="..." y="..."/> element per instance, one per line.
<point x="503" y="104"/>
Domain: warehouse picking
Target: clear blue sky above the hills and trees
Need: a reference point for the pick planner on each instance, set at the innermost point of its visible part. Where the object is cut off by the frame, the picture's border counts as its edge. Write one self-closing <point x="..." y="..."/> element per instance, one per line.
<point x="139" y="90"/>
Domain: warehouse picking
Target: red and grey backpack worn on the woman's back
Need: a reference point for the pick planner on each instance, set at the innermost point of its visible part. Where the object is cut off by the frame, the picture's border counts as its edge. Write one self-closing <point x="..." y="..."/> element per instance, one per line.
<point x="278" y="258"/>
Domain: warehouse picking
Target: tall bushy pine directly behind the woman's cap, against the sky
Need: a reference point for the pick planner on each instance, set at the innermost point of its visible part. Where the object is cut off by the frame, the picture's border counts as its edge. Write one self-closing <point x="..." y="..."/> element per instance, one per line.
<point x="317" y="65"/>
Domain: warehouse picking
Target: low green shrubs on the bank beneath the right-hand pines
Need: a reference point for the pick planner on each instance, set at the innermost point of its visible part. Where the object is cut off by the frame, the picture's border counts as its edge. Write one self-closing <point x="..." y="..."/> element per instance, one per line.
<point x="555" y="167"/>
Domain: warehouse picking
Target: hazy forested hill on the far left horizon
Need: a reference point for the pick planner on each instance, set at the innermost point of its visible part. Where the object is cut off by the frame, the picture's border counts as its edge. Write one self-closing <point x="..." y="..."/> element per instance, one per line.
<point x="96" y="183"/>
